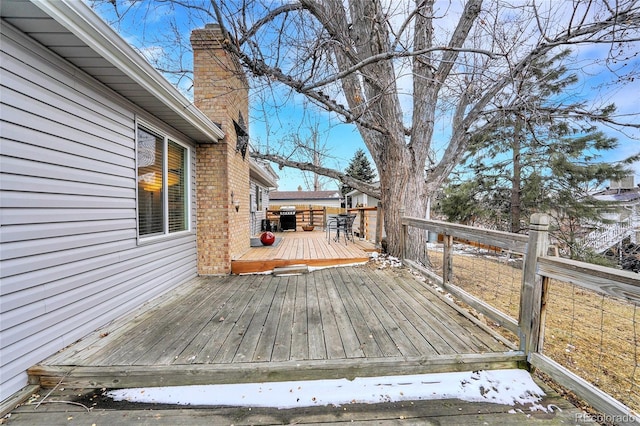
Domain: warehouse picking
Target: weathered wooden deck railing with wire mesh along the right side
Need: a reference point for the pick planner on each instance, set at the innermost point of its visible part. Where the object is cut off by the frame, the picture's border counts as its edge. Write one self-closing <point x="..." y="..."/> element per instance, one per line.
<point x="538" y="270"/>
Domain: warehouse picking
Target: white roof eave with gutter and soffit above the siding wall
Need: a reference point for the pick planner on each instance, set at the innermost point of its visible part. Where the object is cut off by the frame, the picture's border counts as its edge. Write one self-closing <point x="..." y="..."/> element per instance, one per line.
<point x="72" y="30"/>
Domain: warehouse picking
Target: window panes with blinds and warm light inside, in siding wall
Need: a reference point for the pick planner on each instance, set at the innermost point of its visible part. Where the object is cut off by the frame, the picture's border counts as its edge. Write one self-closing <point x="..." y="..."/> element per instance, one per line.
<point x="162" y="184"/>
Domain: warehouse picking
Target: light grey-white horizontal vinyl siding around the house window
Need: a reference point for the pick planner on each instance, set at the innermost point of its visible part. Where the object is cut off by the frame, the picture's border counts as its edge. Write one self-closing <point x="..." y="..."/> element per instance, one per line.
<point x="69" y="254"/>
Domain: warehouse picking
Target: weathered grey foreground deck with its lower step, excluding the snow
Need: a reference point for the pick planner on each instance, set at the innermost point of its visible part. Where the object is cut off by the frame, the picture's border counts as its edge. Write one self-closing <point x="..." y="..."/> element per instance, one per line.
<point x="348" y="322"/>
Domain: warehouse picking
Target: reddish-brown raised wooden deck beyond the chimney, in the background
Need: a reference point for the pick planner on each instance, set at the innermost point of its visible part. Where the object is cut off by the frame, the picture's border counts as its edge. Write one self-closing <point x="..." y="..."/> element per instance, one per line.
<point x="307" y="248"/>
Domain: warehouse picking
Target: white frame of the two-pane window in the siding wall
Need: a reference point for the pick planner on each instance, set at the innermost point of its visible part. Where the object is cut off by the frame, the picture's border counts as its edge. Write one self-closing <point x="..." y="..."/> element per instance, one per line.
<point x="166" y="138"/>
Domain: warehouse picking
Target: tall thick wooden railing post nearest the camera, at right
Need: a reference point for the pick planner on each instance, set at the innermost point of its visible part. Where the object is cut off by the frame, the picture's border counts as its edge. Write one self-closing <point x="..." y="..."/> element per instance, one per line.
<point x="531" y="294"/>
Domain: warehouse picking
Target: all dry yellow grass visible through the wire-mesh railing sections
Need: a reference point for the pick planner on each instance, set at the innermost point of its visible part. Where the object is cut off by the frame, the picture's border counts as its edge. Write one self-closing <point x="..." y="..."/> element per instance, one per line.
<point x="594" y="336"/>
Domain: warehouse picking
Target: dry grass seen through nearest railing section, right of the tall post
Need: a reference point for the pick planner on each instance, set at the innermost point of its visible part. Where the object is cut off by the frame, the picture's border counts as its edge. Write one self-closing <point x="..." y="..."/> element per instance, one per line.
<point x="596" y="337"/>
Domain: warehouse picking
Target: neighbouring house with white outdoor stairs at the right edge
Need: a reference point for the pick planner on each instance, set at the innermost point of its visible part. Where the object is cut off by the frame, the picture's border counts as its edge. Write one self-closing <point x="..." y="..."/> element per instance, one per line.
<point x="623" y="215"/>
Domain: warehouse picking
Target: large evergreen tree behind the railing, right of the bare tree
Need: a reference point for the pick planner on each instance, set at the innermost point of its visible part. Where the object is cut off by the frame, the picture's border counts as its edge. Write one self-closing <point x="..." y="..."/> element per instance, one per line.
<point x="539" y="157"/>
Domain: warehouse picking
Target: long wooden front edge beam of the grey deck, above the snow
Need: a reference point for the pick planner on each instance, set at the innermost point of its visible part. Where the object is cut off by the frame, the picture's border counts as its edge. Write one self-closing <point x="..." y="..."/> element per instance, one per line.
<point x="258" y="372"/>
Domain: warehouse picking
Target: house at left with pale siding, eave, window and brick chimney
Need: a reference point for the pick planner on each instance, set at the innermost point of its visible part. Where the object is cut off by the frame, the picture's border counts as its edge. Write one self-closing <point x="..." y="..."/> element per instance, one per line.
<point x="115" y="188"/>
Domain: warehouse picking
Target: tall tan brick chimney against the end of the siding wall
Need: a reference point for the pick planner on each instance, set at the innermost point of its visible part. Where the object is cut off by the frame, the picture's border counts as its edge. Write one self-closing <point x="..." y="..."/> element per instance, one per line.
<point x="221" y="91"/>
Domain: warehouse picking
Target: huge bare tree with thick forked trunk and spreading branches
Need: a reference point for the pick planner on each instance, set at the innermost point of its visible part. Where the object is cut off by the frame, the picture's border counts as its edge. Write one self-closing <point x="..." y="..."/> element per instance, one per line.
<point x="416" y="78"/>
